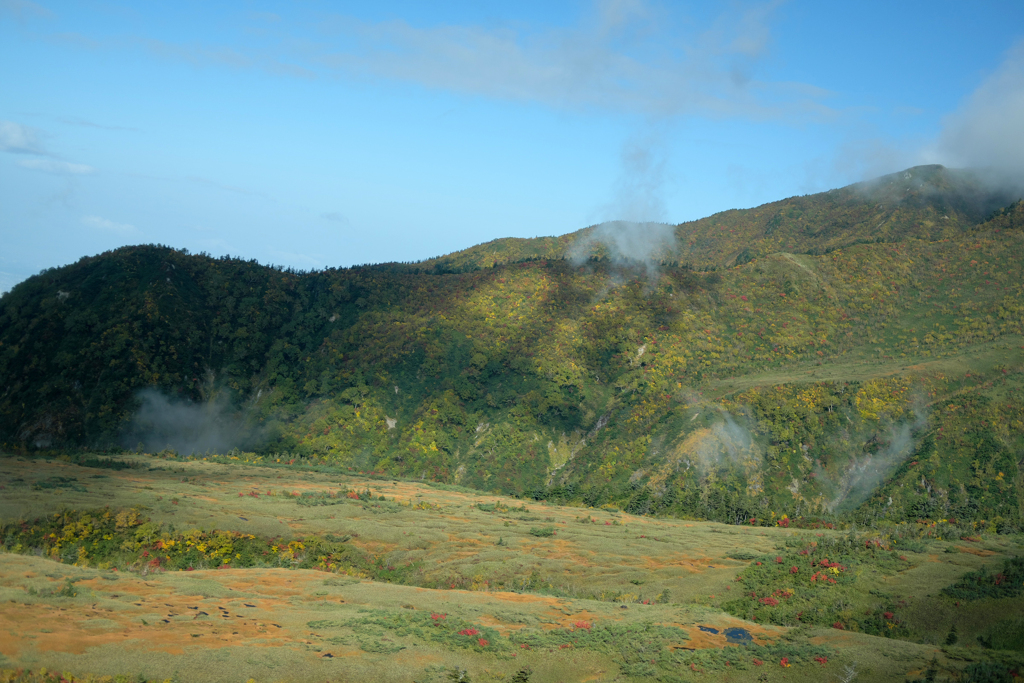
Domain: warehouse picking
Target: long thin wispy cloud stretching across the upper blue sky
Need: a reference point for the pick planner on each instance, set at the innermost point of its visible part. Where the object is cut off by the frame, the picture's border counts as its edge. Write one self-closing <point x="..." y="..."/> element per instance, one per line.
<point x="624" y="56"/>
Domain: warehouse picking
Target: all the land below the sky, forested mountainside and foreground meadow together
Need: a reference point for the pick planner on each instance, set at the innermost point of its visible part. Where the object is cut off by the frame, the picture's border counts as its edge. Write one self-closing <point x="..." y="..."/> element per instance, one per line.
<point x="776" y="444"/>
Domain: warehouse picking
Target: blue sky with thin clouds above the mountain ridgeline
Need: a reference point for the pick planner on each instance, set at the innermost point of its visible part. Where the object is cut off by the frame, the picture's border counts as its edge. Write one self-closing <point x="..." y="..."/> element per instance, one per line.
<point x="317" y="135"/>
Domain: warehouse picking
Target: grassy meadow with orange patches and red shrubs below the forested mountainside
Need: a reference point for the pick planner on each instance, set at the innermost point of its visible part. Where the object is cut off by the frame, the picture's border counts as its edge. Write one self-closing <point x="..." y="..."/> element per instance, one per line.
<point x="162" y="569"/>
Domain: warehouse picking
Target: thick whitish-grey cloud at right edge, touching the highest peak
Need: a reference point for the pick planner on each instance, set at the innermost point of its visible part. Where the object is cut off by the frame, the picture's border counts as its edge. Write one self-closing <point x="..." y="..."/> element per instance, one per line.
<point x="988" y="132"/>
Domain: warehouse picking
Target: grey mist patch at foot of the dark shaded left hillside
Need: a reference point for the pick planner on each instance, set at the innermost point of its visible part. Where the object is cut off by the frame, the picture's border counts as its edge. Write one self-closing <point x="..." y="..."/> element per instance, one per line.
<point x="187" y="428"/>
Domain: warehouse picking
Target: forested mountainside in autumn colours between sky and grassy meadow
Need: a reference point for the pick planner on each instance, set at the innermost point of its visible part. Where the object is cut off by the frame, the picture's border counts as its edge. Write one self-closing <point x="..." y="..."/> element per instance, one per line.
<point x="857" y="353"/>
